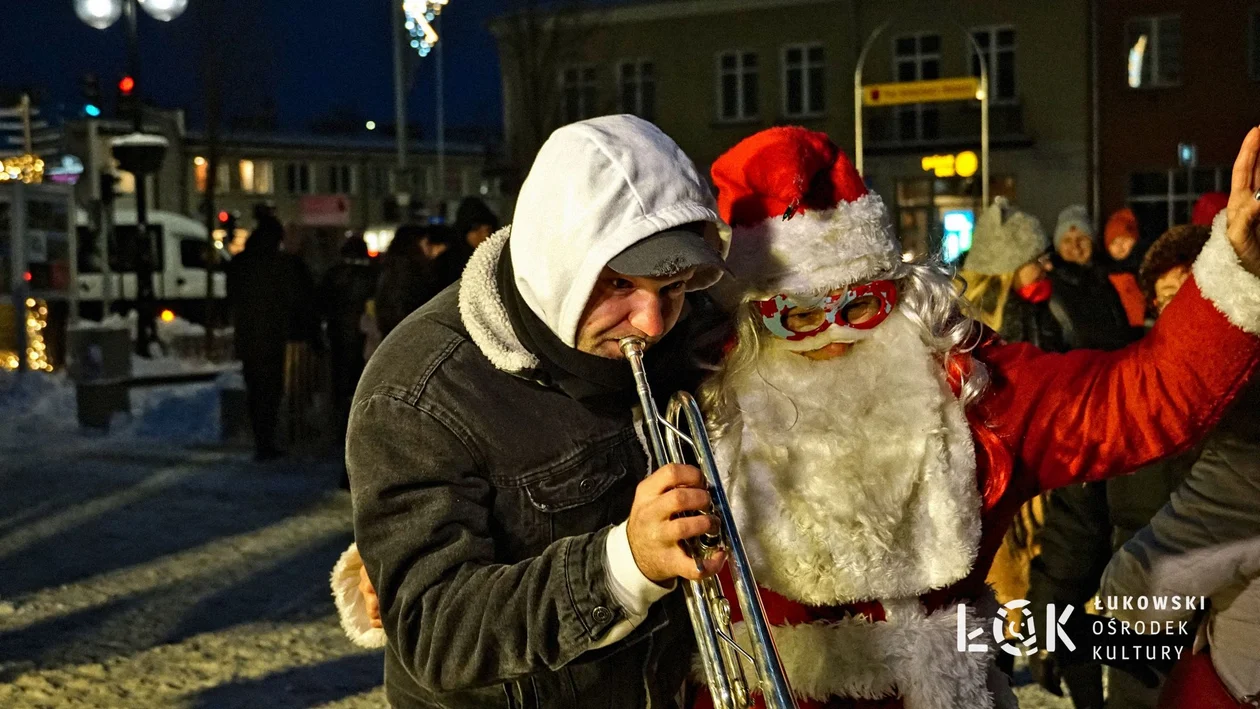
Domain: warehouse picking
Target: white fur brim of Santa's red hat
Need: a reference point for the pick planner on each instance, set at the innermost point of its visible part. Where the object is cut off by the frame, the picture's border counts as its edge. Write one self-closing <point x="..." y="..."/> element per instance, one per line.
<point x="816" y="251"/>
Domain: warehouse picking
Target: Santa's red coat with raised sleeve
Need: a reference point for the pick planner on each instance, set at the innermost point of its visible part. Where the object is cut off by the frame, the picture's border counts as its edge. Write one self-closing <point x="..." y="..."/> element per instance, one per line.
<point x="1053" y="420"/>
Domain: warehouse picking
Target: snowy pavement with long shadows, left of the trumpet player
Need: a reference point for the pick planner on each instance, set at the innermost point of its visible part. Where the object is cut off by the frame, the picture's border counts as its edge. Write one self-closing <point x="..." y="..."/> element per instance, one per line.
<point x="156" y="569"/>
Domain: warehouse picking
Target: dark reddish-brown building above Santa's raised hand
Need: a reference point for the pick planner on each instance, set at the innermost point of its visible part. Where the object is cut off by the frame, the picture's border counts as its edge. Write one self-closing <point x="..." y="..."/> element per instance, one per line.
<point x="1174" y="74"/>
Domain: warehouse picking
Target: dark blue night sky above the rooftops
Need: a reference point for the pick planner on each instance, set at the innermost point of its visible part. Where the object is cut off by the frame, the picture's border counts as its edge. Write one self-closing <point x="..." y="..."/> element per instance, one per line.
<point x="312" y="57"/>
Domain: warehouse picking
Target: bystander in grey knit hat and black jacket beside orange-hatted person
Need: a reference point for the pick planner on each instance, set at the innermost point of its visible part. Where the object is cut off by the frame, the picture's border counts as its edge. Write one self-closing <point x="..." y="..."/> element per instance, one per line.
<point x="1094" y="317"/>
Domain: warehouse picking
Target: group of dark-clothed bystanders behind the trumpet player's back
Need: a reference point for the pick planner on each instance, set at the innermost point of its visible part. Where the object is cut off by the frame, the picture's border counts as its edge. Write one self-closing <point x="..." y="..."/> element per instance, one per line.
<point x="280" y="313"/>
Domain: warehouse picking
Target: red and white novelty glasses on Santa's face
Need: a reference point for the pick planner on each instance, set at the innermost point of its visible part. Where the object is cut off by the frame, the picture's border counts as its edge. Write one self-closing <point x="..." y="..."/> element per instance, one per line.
<point x="856" y="310"/>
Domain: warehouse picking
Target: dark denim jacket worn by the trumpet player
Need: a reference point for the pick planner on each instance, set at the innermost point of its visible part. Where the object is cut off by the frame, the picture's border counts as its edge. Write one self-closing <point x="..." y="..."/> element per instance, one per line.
<point x="482" y="506"/>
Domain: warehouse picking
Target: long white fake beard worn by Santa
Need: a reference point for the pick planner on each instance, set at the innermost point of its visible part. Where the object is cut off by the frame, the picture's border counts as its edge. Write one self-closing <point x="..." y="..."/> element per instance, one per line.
<point x="852" y="479"/>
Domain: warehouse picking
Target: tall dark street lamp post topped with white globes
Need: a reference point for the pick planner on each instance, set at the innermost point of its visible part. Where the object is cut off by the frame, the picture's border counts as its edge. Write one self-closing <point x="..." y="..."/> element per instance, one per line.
<point x="138" y="154"/>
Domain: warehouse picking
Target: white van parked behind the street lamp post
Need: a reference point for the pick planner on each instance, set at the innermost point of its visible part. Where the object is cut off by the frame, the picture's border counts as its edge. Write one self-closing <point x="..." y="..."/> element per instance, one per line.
<point x="180" y="273"/>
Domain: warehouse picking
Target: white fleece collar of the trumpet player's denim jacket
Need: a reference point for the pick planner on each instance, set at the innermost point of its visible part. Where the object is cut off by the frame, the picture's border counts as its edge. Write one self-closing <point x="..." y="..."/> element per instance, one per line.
<point x="483" y="312"/>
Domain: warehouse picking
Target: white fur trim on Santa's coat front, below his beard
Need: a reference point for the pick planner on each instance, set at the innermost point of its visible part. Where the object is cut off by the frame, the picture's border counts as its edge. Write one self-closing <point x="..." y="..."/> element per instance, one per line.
<point x="912" y="653"/>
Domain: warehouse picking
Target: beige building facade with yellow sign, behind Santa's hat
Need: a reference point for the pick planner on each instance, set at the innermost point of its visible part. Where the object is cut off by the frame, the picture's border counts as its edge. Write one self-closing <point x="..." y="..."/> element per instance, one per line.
<point x="711" y="72"/>
